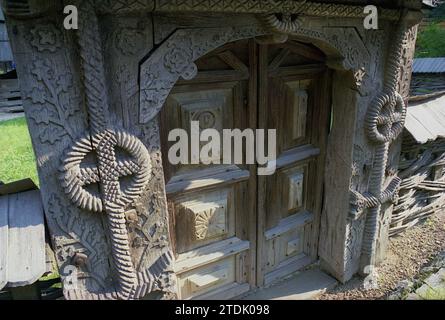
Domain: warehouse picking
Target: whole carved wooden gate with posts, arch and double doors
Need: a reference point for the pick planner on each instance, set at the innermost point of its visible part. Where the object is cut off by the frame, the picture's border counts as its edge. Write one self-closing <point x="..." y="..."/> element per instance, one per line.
<point x="101" y="100"/>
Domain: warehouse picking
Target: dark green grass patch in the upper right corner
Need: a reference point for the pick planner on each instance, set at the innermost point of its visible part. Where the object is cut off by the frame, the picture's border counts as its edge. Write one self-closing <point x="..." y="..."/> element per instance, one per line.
<point x="431" y="41"/>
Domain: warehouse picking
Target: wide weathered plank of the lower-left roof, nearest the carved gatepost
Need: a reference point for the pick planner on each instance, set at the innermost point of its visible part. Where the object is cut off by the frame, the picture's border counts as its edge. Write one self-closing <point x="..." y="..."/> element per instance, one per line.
<point x="26" y="253"/>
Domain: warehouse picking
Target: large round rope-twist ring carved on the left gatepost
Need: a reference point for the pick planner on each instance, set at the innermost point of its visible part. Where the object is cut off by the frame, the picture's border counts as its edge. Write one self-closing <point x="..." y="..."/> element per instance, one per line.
<point x="127" y="158"/>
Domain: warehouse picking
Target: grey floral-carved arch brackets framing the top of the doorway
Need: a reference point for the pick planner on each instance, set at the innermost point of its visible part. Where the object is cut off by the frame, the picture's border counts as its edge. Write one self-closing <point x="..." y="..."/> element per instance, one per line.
<point x="175" y="58"/>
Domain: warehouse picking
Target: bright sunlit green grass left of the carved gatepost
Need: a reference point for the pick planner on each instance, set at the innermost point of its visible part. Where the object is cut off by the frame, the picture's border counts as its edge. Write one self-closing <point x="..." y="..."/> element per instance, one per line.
<point x="17" y="159"/>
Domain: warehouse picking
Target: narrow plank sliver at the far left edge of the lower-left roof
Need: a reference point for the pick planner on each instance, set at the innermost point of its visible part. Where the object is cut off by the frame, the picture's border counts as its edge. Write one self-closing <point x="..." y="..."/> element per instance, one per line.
<point x="3" y="240"/>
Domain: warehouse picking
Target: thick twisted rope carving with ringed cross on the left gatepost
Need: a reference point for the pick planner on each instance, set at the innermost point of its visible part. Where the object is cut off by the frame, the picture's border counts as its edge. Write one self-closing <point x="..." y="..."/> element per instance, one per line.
<point x="103" y="141"/>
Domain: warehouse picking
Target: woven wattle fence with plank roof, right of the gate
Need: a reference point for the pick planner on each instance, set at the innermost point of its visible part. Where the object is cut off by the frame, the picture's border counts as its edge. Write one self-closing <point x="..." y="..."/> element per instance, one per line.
<point x="422" y="163"/>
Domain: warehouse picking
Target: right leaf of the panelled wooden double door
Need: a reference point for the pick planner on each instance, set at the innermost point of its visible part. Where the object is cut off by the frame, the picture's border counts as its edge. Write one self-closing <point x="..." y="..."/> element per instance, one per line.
<point x="294" y="99"/>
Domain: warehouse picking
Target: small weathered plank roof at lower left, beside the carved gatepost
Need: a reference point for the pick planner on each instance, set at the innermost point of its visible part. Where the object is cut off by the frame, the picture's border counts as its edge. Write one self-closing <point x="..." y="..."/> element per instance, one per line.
<point x="22" y="239"/>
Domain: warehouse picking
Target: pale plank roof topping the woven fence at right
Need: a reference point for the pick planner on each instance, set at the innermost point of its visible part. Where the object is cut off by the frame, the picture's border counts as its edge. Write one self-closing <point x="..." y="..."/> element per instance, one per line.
<point x="425" y="120"/>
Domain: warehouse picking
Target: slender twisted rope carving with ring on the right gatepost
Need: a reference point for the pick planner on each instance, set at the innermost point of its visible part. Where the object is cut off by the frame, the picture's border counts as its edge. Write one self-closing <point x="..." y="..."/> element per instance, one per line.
<point x="384" y="122"/>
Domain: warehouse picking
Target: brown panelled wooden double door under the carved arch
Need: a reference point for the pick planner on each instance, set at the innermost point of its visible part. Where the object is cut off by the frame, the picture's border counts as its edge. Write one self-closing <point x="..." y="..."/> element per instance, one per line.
<point x="233" y="230"/>
